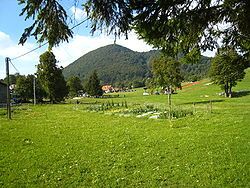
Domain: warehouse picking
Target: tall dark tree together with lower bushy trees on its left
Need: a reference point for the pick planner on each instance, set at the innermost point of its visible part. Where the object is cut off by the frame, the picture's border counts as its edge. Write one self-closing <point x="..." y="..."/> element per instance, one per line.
<point x="48" y="82"/>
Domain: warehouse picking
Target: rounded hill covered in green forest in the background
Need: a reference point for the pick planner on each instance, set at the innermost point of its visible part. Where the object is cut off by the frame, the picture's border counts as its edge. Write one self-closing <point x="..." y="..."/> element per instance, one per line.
<point x="116" y="64"/>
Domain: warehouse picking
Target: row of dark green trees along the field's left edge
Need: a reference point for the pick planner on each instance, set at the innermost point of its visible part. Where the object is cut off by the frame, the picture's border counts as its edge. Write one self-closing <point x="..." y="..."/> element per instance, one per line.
<point x="50" y="84"/>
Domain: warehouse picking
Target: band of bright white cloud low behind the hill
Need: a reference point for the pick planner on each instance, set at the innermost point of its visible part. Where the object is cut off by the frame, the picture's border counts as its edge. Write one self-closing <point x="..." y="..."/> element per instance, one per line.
<point x="66" y="53"/>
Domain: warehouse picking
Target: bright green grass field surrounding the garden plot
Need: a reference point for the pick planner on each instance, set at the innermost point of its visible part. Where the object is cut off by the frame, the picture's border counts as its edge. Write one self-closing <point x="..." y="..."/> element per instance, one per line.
<point x="67" y="146"/>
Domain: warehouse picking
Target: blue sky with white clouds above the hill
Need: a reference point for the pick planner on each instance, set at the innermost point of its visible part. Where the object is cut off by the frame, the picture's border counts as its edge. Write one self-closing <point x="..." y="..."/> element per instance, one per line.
<point x="12" y="26"/>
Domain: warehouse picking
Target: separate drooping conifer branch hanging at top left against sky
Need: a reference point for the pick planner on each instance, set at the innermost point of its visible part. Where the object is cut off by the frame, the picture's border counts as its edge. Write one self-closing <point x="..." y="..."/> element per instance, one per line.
<point x="49" y="22"/>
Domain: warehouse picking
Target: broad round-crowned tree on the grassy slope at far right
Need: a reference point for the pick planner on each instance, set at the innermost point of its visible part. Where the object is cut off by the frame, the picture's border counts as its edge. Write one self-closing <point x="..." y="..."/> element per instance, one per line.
<point x="227" y="68"/>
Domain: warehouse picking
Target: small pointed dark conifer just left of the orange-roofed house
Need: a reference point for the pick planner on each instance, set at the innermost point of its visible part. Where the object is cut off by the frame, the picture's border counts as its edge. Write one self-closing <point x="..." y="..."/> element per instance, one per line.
<point x="93" y="86"/>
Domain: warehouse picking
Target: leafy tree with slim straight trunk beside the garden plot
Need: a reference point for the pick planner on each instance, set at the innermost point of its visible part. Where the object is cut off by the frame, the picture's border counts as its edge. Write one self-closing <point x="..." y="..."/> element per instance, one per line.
<point x="167" y="74"/>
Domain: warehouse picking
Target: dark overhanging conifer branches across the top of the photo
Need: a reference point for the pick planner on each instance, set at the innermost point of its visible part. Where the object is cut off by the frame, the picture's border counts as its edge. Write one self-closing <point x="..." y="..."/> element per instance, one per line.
<point x="174" y="26"/>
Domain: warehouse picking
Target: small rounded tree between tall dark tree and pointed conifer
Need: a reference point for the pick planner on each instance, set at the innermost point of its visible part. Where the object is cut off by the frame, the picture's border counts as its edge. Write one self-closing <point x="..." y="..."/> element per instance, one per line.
<point x="74" y="85"/>
